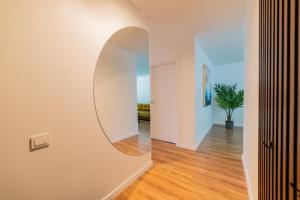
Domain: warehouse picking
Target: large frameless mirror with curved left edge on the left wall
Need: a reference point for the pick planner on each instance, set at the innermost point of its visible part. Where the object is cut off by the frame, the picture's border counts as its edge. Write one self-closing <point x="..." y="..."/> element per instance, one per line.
<point x="122" y="90"/>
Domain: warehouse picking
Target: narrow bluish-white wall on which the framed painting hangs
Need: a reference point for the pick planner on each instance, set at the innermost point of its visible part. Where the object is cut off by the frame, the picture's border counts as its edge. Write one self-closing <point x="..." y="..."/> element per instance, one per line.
<point x="204" y="115"/>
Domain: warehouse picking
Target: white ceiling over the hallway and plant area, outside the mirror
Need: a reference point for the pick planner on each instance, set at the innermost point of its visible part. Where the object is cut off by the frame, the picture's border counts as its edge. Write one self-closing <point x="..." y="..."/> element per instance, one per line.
<point x="218" y="24"/>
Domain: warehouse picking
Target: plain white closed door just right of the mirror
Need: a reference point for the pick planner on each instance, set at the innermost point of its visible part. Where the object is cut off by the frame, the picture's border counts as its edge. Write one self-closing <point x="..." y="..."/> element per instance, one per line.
<point x="163" y="107"/>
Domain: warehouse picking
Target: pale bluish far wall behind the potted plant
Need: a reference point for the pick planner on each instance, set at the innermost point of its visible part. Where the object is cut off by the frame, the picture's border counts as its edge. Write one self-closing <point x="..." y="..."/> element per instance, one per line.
<point x="229" y="74"/>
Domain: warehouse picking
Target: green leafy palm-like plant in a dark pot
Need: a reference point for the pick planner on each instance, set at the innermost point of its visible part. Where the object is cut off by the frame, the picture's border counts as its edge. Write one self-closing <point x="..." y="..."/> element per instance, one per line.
<point x="229" y="98"/>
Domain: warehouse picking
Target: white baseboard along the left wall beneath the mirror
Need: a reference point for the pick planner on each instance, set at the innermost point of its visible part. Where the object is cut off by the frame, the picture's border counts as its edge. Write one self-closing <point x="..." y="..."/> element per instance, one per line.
<point x="128" y="181"/>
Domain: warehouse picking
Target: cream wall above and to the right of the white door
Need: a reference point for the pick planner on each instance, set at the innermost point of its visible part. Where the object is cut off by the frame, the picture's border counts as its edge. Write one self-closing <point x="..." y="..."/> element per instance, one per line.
<point x="181" y="52"/>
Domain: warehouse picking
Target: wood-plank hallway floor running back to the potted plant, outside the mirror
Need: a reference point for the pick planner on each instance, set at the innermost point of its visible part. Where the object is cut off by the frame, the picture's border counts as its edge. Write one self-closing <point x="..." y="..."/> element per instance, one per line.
<point x="213" y="172"/>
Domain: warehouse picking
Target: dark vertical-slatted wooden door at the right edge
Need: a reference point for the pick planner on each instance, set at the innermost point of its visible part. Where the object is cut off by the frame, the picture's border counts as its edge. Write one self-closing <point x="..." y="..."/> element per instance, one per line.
<point x="279" y="152"/>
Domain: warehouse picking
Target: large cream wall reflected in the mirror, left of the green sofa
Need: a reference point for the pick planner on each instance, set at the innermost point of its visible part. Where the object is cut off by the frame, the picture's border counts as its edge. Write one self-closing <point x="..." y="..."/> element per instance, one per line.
<point x="115" y="93"/>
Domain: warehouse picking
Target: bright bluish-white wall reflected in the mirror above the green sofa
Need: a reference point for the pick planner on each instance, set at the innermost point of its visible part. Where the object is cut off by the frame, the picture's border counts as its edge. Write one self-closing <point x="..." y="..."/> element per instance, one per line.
<point x="143" y="89"/>
